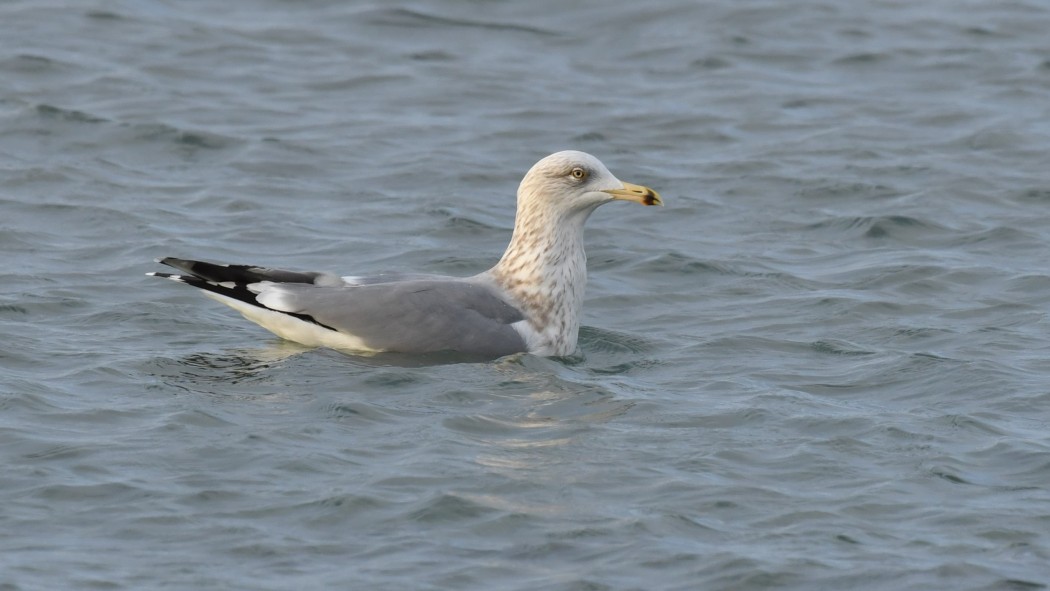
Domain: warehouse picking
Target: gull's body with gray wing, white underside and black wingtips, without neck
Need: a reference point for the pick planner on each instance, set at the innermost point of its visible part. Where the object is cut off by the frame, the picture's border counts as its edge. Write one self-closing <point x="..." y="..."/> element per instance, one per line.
<point x="416" y="315"/>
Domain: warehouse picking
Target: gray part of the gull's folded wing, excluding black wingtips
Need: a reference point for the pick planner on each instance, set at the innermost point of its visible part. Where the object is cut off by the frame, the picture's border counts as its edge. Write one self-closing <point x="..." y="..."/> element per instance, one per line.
<point x="414" y="316"/>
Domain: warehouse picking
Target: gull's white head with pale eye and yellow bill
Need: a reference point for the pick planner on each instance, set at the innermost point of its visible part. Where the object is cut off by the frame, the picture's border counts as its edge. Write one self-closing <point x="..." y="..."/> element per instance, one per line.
<point x="573" y="182"/>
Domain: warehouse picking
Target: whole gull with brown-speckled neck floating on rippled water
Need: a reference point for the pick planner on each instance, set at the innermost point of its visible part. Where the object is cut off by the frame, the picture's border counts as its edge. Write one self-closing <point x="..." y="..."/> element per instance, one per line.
<point x="531" y="301"/>
